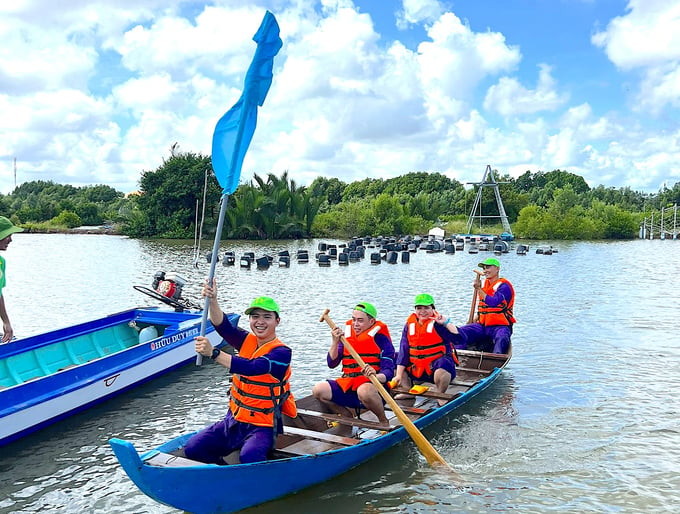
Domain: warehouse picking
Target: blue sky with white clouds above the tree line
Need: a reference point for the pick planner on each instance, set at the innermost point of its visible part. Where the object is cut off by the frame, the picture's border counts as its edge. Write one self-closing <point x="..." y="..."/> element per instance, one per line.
<point x="96" y="92"/>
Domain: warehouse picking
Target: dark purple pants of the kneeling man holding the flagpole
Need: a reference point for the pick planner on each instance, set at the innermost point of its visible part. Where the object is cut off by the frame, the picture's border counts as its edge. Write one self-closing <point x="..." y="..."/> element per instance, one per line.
<point x="221" y="438"/>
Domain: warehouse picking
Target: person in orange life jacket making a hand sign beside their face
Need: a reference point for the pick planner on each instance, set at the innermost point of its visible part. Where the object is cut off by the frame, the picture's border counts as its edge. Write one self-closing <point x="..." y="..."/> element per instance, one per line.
<point x="426" y="350"/>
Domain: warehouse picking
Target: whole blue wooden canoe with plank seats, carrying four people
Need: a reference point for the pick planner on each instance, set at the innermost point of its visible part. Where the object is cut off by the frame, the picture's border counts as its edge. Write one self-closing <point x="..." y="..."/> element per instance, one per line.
<point x="315" y="447"/>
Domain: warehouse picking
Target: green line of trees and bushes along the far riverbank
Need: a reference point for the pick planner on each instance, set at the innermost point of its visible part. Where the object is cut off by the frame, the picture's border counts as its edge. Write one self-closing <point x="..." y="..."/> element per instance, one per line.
<point x="183" y="194"/>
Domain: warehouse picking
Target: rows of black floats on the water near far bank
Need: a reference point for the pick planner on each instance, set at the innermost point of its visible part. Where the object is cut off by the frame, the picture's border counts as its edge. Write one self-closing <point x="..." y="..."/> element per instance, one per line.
<point x="380" y="250"/>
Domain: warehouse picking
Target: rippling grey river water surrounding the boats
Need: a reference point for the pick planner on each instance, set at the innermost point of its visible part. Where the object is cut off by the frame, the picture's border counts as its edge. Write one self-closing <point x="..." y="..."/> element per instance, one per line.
<point x="583" y="419"/>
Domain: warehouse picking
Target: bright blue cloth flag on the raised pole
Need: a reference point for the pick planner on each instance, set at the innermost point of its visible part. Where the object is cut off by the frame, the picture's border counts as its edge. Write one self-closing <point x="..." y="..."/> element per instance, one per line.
<point x="235" y="129"/>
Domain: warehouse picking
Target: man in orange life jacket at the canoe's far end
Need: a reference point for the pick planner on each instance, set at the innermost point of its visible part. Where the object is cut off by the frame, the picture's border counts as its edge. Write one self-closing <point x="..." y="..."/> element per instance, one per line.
<point x="493" y="329"/>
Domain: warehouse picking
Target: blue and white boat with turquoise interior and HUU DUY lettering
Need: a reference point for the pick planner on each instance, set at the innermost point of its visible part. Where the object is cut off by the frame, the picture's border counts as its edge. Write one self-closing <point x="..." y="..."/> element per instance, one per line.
<point x="49" y="376"/>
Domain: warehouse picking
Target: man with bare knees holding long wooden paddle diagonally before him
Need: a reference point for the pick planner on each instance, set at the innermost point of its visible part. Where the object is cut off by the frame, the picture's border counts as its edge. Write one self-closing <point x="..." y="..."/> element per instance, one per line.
<point x="371" y="339"/>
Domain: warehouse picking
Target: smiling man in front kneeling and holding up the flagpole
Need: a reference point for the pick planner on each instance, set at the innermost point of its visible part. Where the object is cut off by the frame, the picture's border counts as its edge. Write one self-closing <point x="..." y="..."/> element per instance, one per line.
<point x="260" y="390"/>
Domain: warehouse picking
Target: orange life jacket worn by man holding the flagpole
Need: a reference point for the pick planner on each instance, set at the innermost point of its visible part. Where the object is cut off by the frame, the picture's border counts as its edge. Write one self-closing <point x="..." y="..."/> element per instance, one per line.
<point x="256" y="399"/>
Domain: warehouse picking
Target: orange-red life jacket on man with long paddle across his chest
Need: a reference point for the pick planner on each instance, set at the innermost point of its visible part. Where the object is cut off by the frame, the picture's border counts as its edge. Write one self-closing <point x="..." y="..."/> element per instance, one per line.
<point x="364" y="344"/>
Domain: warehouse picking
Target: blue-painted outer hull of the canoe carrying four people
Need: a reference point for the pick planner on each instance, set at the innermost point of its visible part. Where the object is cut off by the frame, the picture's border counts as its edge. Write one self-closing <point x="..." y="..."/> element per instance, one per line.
<point x="208" y="488"/>
